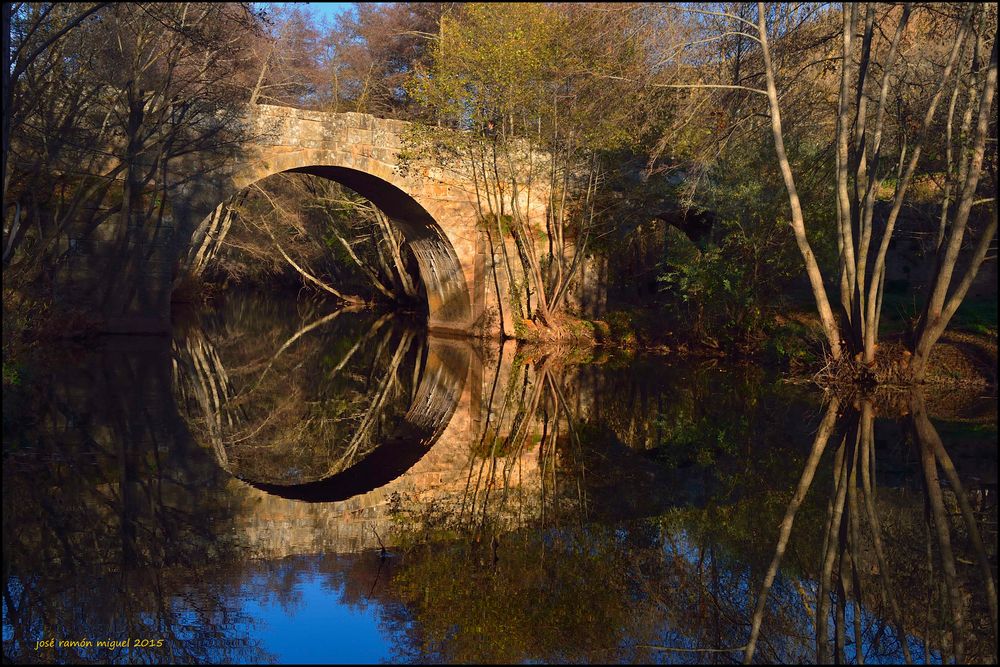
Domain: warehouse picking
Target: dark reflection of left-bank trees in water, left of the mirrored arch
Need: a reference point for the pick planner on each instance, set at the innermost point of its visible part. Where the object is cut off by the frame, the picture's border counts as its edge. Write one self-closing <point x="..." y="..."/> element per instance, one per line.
<point x="111" y="520"/>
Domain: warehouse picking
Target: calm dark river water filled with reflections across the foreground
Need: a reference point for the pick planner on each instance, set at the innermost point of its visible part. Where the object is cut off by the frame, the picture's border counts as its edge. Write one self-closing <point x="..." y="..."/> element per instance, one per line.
<point x="280" y="483"/>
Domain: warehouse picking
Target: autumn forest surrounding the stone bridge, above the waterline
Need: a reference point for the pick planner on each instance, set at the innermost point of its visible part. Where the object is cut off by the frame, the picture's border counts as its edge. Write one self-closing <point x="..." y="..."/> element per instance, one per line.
<point x="816" y="181"/>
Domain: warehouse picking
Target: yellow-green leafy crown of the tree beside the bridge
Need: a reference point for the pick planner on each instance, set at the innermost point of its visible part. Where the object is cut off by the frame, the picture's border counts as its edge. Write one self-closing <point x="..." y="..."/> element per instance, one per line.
<point x="531" y="62"/>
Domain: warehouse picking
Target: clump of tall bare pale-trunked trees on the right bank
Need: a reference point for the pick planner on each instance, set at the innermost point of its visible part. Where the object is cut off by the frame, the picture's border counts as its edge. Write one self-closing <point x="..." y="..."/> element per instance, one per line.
<point x="877" y="53"/>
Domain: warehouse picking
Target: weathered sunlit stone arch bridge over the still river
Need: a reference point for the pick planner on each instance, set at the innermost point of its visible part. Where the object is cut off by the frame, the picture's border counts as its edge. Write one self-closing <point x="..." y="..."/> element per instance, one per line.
<point x="434" y="207"/>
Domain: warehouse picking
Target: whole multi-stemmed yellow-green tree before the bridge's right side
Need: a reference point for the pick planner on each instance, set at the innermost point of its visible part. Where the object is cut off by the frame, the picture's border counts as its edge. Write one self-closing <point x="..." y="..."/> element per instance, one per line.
<point x="525" y="84"/>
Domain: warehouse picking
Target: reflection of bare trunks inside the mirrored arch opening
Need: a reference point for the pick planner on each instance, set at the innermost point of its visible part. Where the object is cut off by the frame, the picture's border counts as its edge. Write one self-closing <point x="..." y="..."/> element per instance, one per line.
<point x="285" y="403"/>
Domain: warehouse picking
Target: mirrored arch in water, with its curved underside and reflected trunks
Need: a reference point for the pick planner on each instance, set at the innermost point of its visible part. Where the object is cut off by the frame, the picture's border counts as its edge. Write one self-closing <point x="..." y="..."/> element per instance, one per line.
<point x="315" y="407"/>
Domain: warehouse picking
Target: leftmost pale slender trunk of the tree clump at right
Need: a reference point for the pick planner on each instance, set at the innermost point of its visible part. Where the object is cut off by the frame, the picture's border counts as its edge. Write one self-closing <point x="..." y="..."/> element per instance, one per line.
<point x="798" y="223"/>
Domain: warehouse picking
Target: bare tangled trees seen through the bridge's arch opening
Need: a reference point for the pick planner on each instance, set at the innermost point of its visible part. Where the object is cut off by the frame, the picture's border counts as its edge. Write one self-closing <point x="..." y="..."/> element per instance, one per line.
<point x="330" y="237"/>
